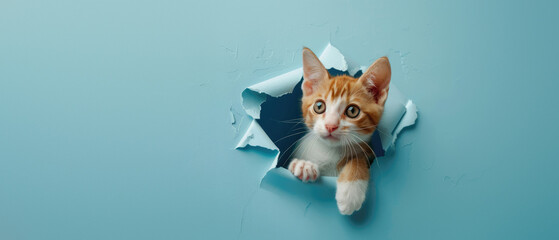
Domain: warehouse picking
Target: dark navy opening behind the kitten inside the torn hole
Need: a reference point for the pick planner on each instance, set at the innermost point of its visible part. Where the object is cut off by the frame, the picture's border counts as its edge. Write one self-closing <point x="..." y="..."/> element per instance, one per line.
<point x="282" y="119"/>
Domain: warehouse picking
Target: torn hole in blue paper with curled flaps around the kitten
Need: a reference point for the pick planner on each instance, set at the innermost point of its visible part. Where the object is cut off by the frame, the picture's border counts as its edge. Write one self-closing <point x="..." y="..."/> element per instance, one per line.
<point x="277" y="124"/>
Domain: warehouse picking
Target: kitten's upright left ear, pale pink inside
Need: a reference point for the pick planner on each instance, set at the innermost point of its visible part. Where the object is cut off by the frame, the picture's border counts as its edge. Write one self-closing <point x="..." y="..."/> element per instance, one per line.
<point x="313" y="72"/>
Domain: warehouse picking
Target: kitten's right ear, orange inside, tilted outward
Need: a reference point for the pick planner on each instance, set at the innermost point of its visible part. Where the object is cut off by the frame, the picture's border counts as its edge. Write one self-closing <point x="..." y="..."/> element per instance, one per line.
<point x="377" y="78"/>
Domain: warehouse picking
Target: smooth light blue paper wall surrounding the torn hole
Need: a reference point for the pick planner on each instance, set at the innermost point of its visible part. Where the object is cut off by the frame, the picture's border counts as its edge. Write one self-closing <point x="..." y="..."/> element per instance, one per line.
<point x="114" y="118"/>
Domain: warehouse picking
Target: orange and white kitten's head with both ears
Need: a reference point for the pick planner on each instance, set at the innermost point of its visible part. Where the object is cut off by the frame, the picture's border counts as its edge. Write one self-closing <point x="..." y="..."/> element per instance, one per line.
<point x="343" y="110"/>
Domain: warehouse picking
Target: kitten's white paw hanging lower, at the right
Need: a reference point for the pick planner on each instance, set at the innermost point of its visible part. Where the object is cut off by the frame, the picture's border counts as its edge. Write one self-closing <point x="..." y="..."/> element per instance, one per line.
<point x="350" y="196"/>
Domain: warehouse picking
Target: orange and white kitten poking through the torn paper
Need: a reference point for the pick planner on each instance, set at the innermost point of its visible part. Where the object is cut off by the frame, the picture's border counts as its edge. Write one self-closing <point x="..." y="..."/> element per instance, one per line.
<point x="341" y="113"/>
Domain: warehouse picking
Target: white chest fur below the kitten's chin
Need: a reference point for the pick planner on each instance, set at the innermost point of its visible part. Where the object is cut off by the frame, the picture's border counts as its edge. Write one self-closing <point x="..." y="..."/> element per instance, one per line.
<point x="317" y="151"/>
